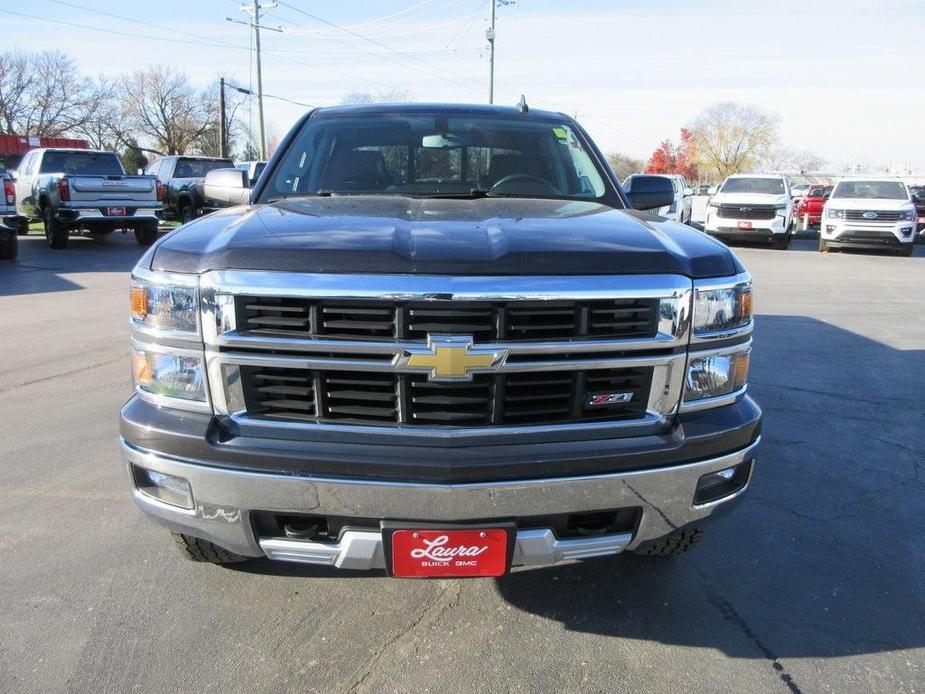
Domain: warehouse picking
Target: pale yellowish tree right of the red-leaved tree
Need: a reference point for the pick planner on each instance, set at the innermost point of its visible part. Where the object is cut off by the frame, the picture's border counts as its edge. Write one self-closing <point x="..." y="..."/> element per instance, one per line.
<point x="732" y="138"/>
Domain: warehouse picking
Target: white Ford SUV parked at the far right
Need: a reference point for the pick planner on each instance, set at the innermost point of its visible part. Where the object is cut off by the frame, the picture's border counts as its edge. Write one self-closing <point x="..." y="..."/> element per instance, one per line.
<point x="869" y="213"/>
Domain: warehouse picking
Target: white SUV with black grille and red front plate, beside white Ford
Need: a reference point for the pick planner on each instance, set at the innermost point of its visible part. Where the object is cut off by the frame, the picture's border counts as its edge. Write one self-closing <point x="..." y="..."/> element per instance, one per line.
<point x="752" y="207"/>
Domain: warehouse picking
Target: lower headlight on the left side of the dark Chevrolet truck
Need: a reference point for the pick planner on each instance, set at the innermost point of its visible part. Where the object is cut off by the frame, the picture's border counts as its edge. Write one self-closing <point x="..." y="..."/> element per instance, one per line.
<point x="168" y="372"/>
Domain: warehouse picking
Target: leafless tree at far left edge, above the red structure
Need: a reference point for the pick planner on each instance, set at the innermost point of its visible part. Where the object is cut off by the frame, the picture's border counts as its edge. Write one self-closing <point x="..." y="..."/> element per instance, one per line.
<point x="44" y="94"/>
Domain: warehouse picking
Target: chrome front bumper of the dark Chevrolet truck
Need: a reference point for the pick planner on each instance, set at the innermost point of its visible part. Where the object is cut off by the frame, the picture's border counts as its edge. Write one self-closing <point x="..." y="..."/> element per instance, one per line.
<point x="225" y="498"/>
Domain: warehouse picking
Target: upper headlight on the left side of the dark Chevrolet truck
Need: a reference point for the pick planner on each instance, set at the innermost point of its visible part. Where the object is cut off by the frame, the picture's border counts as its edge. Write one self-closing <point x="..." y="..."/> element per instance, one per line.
<point x="165" y="301"/>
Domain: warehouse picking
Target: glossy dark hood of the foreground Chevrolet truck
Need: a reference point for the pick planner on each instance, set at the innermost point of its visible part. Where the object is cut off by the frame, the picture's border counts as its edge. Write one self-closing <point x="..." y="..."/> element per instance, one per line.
<point x="398" y="235"/>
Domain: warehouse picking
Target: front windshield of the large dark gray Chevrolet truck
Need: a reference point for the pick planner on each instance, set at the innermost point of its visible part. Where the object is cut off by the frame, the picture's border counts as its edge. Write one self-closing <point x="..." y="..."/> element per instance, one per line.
<point x="437" y="155"/>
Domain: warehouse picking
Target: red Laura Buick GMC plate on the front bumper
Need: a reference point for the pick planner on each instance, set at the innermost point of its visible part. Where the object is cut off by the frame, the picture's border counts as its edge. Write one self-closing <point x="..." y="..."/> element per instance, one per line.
<point x="421" y="553"/>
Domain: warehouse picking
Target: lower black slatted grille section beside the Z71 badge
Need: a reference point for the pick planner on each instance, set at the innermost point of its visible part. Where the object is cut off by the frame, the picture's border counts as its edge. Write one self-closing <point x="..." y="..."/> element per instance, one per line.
<point x="488" y="400"/>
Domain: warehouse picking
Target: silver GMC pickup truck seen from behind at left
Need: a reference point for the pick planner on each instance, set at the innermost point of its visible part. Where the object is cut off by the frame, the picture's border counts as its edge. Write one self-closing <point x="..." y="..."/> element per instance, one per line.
<point x="86" y="190"/>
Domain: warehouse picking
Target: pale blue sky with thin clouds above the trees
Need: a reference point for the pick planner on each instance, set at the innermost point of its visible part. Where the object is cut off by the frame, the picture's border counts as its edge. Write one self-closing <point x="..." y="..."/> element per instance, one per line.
<point x="842" y="76"/>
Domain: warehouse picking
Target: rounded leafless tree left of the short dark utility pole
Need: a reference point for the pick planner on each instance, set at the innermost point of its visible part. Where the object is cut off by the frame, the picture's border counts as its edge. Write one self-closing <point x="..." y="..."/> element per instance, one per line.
<point x="162" y="105"/>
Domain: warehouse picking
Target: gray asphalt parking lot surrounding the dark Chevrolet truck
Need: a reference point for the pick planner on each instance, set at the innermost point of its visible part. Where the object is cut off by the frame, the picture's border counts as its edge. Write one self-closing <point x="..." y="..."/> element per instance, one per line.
<point x="813" y="584"/>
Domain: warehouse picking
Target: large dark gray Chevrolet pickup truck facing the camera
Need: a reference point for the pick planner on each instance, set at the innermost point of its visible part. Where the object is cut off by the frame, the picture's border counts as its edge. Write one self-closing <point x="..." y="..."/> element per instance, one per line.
<point x="439" y="341"/>
